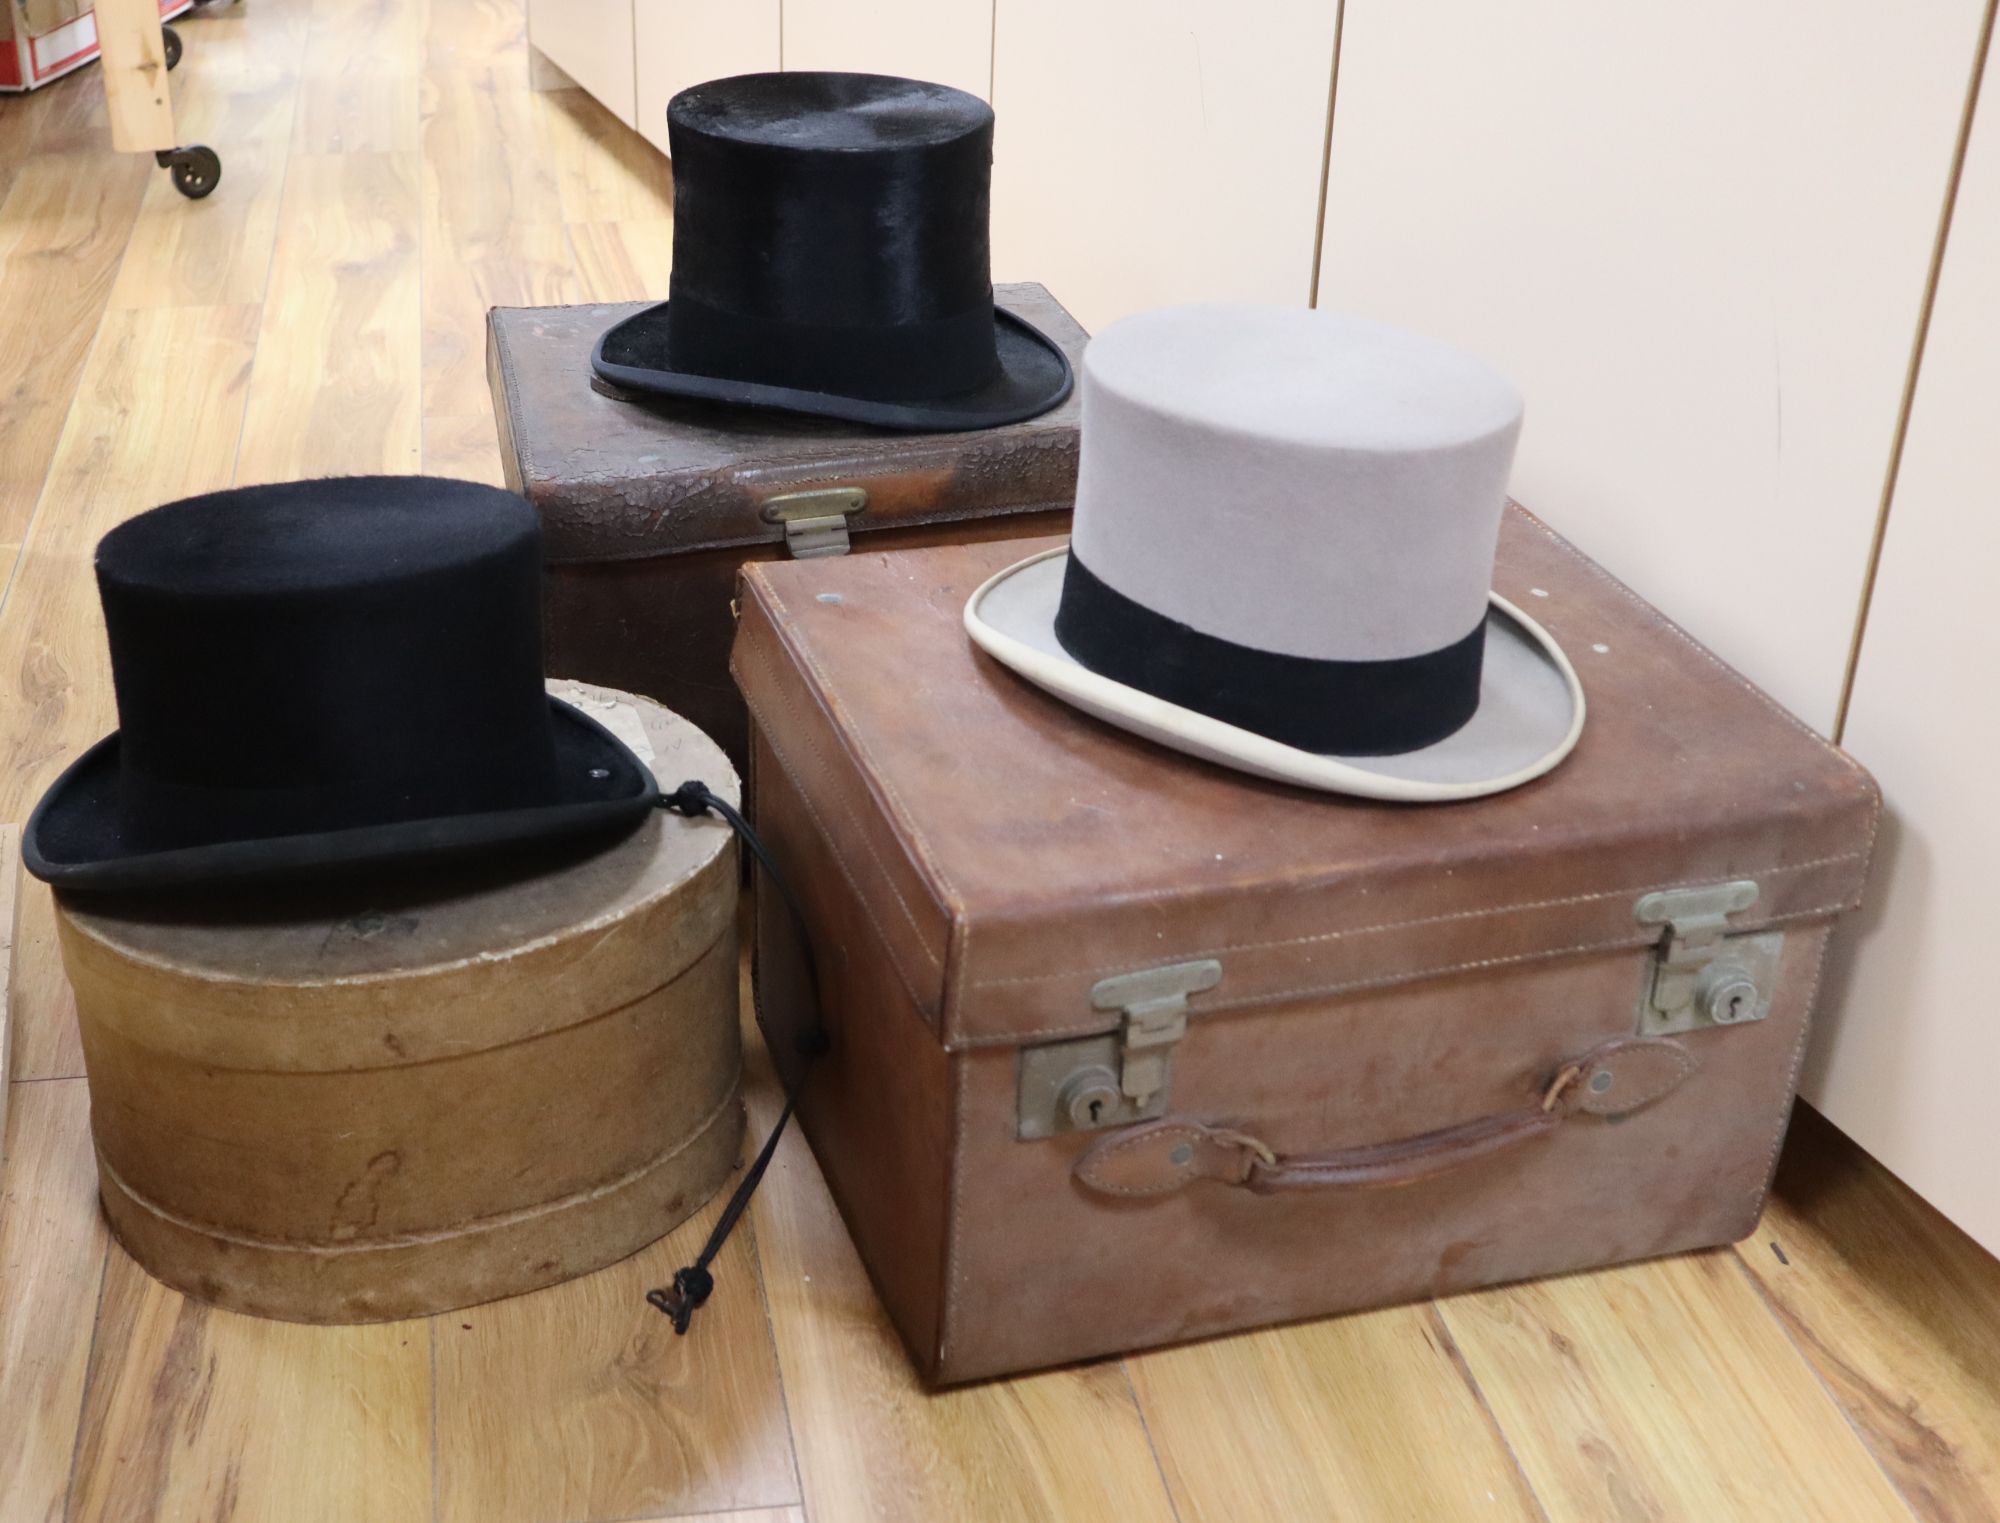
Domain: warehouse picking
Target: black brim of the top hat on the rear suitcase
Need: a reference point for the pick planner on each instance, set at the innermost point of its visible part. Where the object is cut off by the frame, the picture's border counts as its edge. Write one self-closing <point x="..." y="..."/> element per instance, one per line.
<point x="1035" y="377"/>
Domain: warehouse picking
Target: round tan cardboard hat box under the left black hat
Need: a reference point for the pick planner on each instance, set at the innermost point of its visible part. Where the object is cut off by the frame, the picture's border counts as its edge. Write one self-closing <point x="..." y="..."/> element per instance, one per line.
<point x="395" y="1098"/>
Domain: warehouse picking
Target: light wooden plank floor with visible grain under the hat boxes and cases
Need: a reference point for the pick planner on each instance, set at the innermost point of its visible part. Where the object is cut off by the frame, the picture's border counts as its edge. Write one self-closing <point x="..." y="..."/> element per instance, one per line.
<point x="387" y="177"/>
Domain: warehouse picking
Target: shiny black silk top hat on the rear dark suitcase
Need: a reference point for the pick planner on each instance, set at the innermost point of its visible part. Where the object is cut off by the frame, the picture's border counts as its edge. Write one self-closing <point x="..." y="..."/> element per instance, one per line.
<point x="831" y="257"/>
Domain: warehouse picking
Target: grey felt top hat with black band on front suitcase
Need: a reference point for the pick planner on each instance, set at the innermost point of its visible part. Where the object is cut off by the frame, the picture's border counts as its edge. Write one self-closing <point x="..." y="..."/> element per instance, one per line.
<point x="1283" y="561"/>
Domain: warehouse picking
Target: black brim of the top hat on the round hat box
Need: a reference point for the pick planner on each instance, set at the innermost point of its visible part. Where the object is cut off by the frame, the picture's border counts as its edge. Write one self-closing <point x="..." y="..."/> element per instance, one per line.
<point x="75" y="842"/>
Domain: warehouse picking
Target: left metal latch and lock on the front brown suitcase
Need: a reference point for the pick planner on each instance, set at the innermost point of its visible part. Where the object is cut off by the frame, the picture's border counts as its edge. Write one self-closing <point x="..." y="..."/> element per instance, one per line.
<point x="1119" y="1076"/>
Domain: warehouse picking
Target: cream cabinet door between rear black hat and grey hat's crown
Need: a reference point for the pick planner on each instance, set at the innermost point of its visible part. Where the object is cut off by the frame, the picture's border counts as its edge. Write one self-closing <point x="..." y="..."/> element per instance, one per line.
<point x="1159" y="151"/>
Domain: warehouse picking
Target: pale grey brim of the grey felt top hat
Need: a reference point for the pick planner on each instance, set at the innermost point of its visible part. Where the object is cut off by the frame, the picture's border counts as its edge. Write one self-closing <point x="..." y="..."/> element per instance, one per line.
<point x="1531" y="703"/>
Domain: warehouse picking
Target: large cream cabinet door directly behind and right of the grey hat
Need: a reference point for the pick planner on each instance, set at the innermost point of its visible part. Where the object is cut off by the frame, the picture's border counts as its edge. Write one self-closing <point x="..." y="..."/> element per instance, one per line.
<point x="1697" y="237"/>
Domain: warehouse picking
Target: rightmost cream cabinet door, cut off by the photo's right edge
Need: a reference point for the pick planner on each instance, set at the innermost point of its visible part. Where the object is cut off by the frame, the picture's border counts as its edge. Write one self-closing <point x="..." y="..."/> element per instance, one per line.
<point x="1909" y="1046"/>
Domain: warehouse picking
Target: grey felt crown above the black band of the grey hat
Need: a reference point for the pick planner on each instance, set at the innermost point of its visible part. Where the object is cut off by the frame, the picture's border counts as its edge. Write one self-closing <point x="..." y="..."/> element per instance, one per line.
<point x="1293" y="481"/>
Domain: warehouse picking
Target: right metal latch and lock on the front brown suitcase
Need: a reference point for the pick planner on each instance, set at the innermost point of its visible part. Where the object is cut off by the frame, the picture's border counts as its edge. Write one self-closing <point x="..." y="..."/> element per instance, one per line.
<point x="1701" y="972"/>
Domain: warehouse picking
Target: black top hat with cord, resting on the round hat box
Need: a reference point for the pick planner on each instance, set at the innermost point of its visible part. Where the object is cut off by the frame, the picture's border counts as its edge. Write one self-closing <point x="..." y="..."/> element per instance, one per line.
<point x="325" y="677"/>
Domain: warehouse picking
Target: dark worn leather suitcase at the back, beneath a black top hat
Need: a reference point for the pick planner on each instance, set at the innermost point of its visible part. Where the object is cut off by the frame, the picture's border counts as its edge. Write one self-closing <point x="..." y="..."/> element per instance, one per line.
<point x="649" y="509"/>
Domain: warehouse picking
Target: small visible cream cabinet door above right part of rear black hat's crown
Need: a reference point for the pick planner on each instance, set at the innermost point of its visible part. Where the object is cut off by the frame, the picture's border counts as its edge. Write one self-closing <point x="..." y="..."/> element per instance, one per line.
<point x="943" y="41"/>
